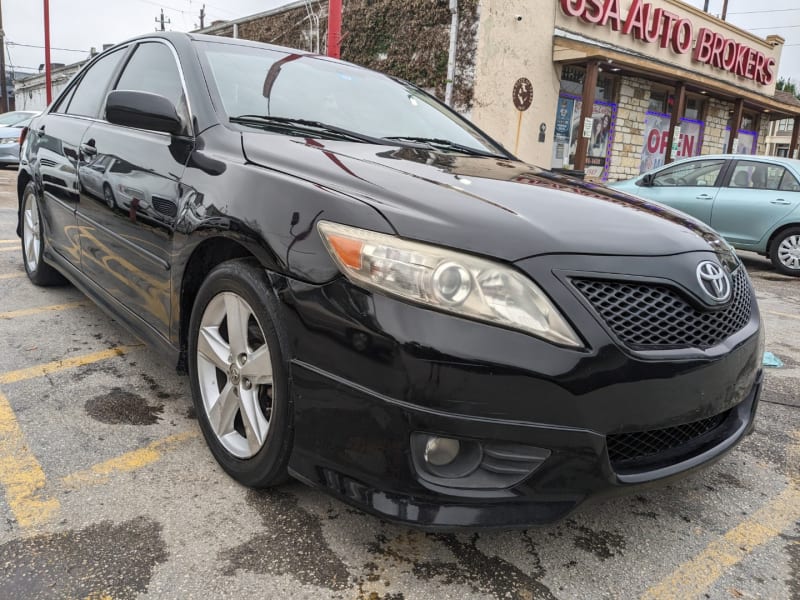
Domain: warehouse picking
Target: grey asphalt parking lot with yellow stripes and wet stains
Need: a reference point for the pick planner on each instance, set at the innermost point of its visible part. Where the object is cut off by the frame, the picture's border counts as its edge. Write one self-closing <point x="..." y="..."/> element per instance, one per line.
<point x="107" y="490"/>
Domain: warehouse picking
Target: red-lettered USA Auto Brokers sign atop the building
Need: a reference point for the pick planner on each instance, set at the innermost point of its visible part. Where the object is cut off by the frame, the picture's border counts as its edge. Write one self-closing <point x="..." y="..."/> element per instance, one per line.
<point x="649" y="24"/>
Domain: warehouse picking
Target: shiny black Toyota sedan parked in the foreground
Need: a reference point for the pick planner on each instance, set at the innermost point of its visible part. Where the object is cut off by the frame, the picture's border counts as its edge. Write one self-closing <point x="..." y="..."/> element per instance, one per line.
<point x="371" y="295"/>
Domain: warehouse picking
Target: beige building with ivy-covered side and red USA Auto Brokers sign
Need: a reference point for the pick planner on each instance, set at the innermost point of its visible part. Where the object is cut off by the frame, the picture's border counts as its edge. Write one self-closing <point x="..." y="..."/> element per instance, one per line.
<point x="608" y="87"/>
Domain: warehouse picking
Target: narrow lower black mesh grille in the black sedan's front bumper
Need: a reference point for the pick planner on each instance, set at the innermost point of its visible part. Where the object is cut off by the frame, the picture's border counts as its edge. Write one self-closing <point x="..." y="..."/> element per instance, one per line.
<point x="627" y="447"/>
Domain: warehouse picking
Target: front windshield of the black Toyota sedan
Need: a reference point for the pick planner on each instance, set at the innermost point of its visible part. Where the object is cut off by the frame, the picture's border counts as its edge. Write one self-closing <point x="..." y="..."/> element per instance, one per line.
<point x="270" y="83"/>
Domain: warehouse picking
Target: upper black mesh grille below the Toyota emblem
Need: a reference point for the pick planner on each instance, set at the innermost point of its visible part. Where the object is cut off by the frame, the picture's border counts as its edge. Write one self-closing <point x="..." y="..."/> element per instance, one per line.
<point x="652" y="317"/>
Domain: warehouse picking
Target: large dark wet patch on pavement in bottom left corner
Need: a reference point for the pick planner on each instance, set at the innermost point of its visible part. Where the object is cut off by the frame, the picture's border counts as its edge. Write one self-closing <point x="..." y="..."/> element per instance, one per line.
<point x="102" y="560"/>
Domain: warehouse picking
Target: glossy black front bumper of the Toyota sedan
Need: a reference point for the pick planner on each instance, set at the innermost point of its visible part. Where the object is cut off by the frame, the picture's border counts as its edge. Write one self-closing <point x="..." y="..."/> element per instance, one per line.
<point x="369" y="371"/>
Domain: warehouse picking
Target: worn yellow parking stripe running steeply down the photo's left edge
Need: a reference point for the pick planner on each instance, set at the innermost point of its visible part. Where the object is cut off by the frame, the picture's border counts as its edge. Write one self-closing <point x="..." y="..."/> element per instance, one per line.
<point x="21" y="474"/>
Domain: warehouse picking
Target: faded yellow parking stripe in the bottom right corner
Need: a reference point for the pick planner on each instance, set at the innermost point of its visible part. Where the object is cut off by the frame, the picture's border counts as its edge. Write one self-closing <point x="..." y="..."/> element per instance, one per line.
<point x="696" y="576"/>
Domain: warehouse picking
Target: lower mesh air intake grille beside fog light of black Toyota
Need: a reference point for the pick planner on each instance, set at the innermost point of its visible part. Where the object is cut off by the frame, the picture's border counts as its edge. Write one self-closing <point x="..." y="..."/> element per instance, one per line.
<point x="643" y="449"/>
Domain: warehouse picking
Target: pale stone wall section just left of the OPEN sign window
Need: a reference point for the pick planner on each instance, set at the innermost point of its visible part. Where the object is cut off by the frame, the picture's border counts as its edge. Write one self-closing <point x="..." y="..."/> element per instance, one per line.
<point x="626" y="149"/>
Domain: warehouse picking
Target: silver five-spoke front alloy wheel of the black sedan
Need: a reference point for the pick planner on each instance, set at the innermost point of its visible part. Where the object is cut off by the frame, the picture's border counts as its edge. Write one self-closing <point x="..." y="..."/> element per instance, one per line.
<point x="234" y="368"/>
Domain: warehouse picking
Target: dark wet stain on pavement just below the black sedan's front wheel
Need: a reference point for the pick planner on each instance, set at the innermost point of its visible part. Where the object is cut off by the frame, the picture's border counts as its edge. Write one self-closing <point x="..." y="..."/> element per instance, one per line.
<point x="292" y="543"/>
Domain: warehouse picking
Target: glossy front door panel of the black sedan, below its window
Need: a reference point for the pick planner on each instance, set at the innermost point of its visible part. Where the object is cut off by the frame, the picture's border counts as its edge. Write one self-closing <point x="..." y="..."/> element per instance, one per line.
<point x="126" y="231"/>
